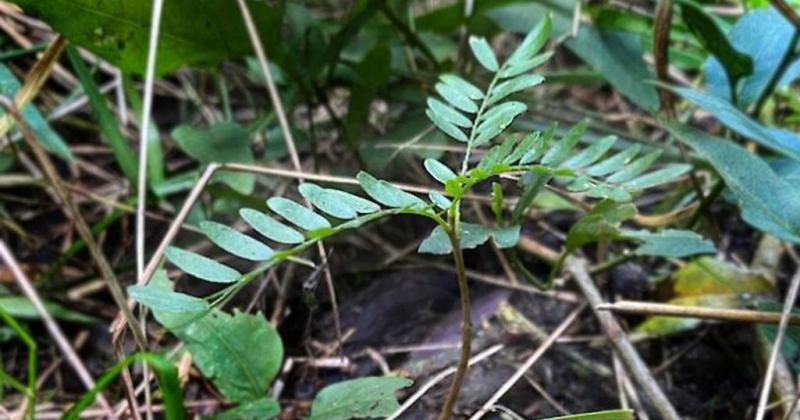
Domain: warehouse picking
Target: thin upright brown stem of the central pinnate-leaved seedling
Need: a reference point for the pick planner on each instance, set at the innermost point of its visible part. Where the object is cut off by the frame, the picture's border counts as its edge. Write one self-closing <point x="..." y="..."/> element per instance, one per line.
<point x="466" y="319"/>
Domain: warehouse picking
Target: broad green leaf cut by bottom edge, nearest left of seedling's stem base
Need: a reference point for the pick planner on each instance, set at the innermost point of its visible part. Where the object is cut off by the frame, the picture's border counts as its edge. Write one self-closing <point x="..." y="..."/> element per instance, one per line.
<point x="369" y="397"/>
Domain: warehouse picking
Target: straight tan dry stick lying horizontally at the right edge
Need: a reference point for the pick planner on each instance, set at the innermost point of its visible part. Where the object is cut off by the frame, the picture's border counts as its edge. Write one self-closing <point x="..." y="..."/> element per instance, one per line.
<point x="718" y="314"/>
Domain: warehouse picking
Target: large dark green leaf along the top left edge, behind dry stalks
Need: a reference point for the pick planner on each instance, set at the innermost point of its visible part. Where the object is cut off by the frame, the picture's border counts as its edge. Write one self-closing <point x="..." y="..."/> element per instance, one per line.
<point x="118" y="30"/>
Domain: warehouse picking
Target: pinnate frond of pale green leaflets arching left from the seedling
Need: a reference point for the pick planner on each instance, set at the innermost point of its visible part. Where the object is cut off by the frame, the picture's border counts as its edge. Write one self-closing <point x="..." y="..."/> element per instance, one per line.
<point x="293" y="224"/>
